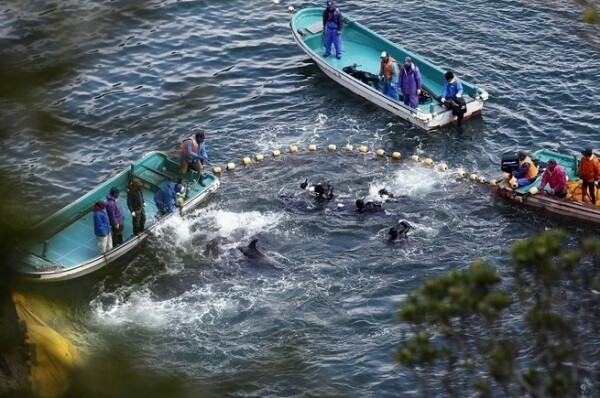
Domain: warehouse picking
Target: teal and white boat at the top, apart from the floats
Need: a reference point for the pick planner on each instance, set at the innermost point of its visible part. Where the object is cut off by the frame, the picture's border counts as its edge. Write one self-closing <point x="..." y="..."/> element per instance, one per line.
<point x="360" y="61"/>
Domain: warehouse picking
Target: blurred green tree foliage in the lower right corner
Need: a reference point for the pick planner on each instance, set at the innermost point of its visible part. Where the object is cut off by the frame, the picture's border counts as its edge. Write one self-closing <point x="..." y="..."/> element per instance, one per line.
<point x="464" y="312"/>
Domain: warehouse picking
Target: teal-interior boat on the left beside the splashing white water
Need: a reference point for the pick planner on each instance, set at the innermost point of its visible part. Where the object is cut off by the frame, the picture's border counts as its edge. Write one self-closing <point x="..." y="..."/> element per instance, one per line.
<point x="65" y="245"/>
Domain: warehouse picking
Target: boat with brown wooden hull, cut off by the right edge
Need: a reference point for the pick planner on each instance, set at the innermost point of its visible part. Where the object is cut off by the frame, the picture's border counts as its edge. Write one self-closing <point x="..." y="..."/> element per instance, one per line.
<point x="575" y="206"/>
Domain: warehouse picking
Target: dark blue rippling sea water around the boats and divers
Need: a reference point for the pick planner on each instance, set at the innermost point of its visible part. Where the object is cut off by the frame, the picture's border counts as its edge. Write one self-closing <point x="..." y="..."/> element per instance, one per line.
<point x="147" y="73"/>
